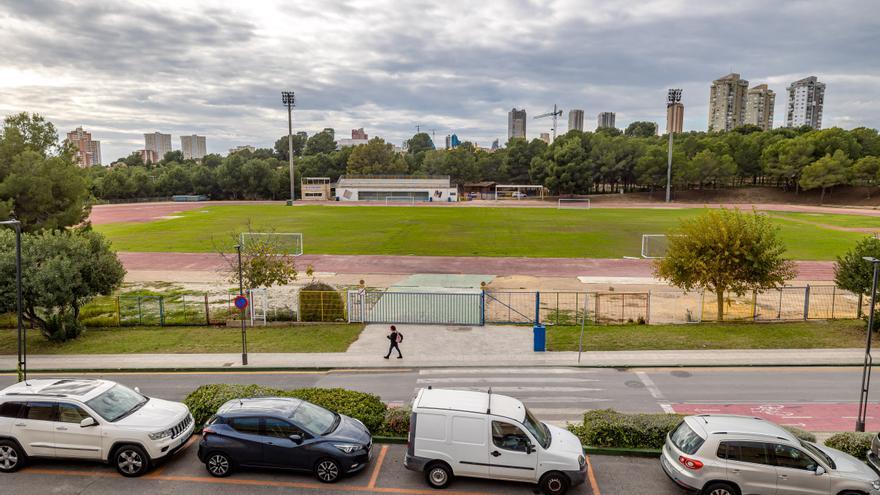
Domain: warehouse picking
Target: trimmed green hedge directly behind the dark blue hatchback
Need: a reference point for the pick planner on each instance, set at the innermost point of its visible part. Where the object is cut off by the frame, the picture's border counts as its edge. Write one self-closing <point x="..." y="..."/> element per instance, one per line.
<point x="368" y="408"/>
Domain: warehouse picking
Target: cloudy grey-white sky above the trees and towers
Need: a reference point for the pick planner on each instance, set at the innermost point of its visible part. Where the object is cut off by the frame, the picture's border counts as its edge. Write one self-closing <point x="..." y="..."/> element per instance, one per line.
<point x="217" y="68"/>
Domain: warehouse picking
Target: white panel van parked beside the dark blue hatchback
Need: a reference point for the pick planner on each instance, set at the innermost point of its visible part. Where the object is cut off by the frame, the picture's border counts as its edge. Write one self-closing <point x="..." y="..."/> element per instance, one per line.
<point x="486" y="435"/>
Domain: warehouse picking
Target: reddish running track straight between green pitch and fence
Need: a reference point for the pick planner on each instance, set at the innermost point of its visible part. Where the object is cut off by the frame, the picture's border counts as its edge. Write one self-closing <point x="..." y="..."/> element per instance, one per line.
<point x="407" y="265"/>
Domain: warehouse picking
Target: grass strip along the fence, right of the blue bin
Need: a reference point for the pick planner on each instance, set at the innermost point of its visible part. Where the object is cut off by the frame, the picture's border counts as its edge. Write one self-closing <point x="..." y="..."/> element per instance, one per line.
<point x="797" y="335"/>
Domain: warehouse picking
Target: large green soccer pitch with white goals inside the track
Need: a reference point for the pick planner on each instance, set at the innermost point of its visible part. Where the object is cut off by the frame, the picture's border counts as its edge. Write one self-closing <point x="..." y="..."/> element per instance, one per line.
<point x="435" y="231"/>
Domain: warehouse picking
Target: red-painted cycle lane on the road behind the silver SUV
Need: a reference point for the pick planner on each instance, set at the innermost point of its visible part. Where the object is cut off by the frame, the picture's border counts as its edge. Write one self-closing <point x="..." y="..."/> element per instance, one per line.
<point x="808" y="416"/>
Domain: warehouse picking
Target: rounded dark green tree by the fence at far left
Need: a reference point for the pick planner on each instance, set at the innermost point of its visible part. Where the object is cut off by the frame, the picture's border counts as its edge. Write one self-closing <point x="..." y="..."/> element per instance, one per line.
<point x="61" y="272"/>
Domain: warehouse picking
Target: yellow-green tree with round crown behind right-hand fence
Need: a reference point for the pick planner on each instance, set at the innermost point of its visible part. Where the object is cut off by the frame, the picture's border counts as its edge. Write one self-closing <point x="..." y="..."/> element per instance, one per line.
<point x="725" y="251"/>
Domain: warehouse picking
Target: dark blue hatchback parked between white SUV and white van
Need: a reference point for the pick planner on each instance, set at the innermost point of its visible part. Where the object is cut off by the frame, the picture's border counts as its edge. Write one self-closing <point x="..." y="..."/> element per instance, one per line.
<point x="284" y="433"/>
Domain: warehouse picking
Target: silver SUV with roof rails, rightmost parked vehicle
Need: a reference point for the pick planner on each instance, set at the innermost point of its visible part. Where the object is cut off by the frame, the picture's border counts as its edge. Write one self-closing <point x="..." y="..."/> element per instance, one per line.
<point x="729" y="455"/>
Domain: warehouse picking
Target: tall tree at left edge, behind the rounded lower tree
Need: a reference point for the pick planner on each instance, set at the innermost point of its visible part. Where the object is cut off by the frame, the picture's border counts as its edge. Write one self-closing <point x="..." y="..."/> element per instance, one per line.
<point x="39" y="180"/>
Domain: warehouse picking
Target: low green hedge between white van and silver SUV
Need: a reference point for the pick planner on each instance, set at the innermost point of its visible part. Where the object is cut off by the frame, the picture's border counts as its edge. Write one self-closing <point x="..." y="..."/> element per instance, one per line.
<point x="609" y="428"/>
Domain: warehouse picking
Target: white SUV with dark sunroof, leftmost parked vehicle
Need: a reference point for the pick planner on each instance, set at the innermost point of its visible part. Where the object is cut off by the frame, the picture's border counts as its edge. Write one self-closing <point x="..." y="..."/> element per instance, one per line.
<point x="88" y="419"/>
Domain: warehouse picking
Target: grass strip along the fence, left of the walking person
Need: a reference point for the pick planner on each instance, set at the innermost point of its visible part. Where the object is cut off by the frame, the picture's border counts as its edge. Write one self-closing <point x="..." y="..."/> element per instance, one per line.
<point x="186" y="340"/>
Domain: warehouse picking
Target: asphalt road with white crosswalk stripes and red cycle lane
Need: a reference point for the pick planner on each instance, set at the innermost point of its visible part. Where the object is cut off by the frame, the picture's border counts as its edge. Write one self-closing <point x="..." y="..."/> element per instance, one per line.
<point x="821" y="397"/>
